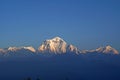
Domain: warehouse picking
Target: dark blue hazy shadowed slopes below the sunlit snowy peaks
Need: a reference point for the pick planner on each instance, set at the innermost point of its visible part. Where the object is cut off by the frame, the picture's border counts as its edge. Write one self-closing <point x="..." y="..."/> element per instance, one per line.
<point x="61" y="67"/>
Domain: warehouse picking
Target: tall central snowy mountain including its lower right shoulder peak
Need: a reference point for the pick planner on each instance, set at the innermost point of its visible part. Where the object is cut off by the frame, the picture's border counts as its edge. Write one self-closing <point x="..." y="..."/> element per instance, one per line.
<point x="56" y="45"/>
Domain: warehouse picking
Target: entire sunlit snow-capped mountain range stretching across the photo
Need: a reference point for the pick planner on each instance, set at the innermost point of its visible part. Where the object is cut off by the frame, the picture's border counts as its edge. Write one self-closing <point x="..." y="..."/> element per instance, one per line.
<point x="55" y="46"/>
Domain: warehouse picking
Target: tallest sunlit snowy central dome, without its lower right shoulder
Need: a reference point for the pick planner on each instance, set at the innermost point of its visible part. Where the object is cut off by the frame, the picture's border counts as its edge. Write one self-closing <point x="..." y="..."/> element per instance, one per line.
<point x="55" y="45"/>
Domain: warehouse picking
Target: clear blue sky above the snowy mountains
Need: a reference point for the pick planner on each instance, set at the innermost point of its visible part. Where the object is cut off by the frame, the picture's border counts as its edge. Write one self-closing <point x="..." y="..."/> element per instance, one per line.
<point x="87" y="24"/>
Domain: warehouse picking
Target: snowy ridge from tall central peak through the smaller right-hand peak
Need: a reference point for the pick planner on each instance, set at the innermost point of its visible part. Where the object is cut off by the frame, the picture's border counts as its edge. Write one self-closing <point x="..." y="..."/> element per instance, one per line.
<point x="58" y="45"/>
